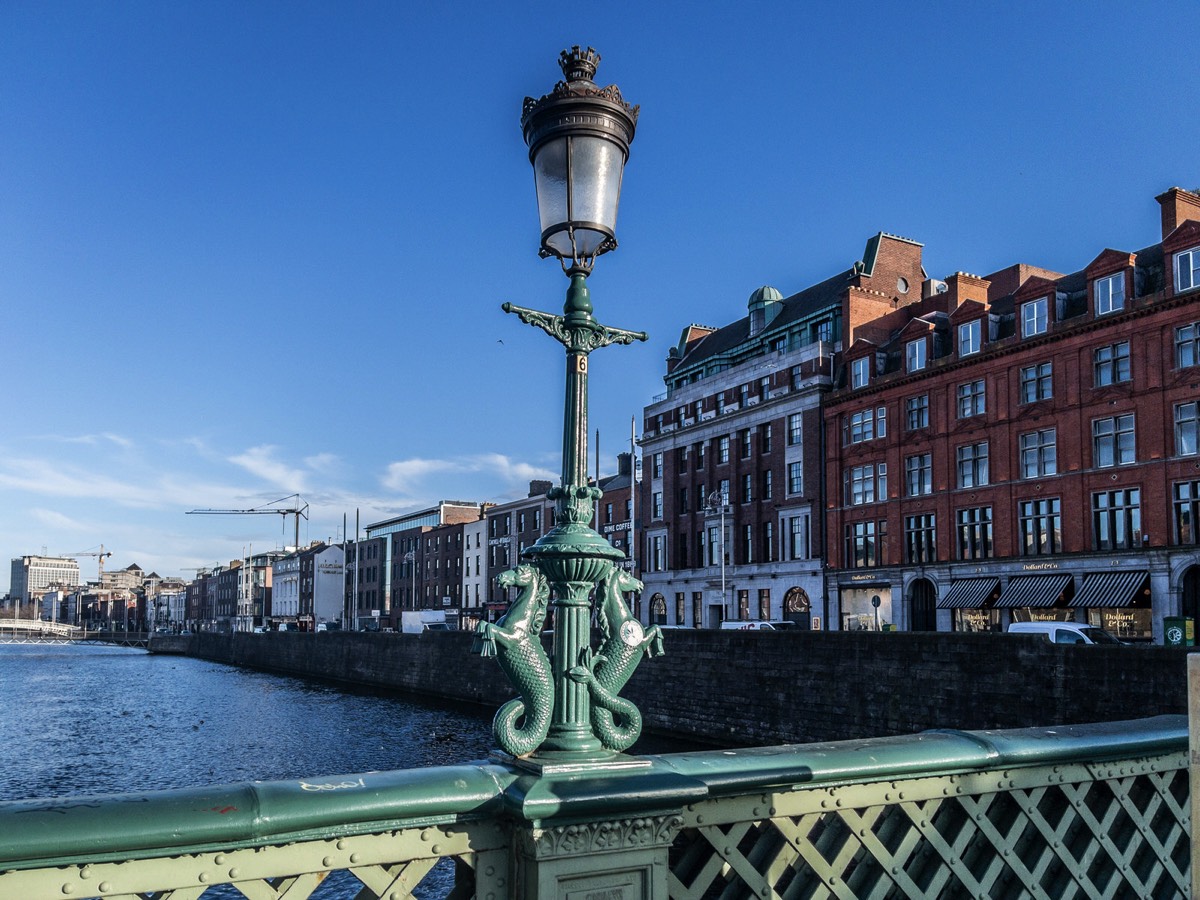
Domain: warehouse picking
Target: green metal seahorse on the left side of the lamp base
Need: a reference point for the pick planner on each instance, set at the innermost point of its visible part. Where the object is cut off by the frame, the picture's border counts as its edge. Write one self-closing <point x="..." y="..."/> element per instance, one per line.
<point x="515" y="644"/>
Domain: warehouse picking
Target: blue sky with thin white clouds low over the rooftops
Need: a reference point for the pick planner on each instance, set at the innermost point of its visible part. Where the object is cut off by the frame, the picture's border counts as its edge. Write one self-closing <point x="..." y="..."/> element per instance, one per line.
<point x="255" y="249"/>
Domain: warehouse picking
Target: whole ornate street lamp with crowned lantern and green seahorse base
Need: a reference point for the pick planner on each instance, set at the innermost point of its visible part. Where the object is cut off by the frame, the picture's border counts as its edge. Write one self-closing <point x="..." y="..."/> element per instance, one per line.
<point x="579" y="137"/>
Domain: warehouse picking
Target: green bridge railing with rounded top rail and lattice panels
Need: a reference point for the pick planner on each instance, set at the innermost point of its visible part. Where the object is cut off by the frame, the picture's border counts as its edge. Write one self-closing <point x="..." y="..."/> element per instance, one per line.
<point x="1093" y="811"/>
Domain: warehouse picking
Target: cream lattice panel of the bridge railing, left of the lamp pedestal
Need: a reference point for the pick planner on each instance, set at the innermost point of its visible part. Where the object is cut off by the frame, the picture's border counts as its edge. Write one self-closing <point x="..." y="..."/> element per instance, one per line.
<point x="397" y="866"/>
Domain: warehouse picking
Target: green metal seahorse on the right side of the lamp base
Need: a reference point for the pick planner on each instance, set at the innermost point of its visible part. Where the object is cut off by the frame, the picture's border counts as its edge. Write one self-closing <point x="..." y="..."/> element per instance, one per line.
<point x="615" y="721"/>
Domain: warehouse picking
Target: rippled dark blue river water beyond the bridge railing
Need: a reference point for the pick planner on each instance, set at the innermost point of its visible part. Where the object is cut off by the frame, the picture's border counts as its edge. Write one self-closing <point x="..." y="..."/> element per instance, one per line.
<point x="94" y="719"/>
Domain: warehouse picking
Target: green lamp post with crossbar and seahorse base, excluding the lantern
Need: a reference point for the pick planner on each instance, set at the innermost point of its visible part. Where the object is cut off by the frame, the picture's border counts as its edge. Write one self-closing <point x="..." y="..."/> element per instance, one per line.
<point x="589" y="722"/>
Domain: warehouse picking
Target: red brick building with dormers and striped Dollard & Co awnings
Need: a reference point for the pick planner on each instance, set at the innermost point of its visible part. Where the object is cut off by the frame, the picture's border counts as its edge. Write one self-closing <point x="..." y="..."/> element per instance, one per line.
<point x="1023" y="446"/>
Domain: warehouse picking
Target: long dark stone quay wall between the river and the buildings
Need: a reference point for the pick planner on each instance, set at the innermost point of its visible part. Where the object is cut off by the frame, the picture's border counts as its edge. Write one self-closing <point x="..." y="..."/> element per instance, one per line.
<point x="745" y="688"/>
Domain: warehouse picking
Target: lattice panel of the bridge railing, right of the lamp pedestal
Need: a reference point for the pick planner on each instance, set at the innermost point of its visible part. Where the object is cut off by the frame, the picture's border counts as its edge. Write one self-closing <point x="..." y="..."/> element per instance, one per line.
<point x="1057" y="833"/>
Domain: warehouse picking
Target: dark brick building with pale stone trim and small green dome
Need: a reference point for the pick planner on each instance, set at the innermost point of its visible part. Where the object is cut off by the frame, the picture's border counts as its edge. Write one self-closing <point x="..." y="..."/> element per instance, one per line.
<point x="733" y="455"/>
